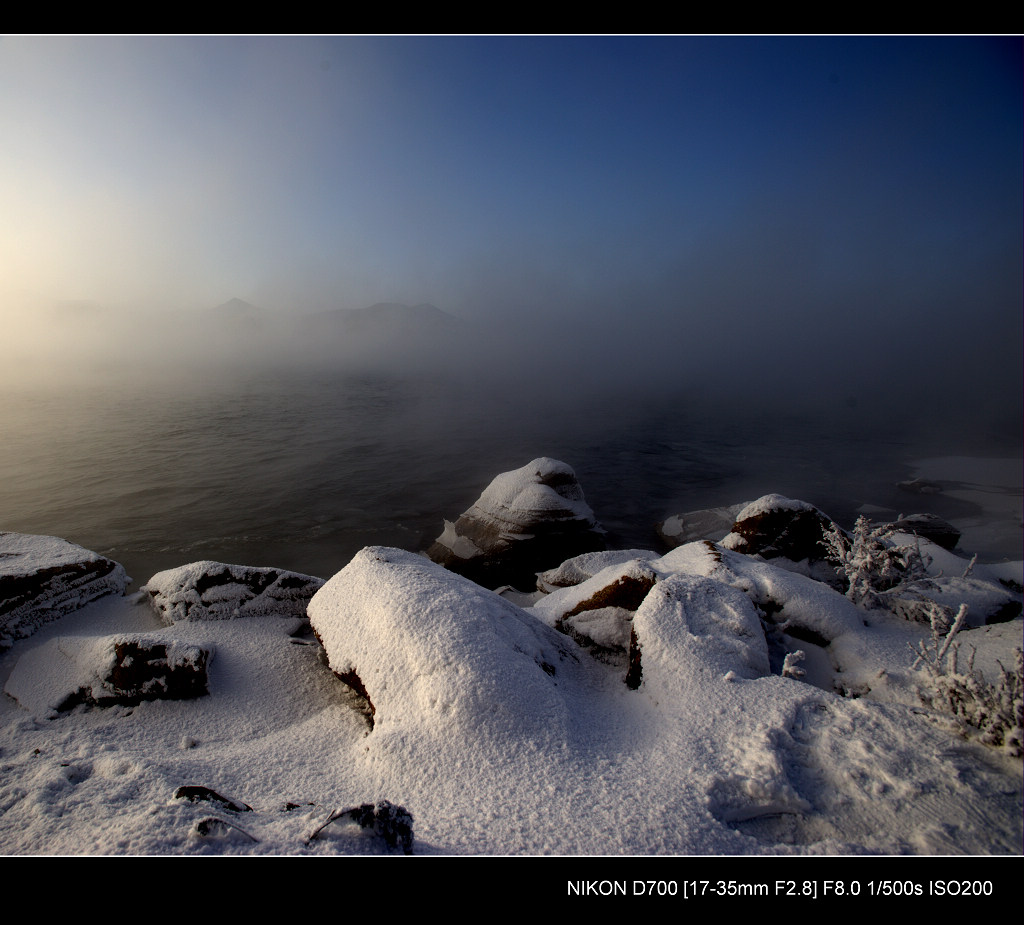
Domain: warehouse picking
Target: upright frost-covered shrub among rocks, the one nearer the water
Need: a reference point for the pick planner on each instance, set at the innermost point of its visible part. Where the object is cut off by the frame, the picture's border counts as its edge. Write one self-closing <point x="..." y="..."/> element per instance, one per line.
<point x="870" y="562"/>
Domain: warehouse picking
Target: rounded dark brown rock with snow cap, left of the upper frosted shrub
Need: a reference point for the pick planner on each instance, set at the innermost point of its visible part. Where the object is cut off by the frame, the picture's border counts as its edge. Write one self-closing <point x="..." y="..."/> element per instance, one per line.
<point x="777" y="527"/>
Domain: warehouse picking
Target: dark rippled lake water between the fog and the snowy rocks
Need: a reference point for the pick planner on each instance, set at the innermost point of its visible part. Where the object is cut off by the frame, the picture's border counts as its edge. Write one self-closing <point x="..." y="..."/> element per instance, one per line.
<point x="301" y="468"/>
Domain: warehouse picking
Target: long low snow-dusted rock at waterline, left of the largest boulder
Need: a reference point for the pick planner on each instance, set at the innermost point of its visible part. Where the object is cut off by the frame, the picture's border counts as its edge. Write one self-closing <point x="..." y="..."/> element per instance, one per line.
<point x="209" y="591"/>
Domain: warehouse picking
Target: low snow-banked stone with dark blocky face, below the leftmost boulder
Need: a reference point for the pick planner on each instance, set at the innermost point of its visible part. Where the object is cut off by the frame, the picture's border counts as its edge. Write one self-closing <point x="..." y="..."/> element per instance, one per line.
<point x="126" y="668"/>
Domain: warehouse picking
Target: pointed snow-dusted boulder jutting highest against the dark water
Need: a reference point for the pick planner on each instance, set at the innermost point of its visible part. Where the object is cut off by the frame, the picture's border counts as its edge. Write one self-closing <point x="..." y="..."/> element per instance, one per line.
<point x="526" y="521"/>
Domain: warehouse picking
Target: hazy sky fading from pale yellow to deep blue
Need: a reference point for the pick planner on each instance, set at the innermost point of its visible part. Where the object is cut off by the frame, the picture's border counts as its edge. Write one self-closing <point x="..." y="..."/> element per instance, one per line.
<point x="707" y="196"/>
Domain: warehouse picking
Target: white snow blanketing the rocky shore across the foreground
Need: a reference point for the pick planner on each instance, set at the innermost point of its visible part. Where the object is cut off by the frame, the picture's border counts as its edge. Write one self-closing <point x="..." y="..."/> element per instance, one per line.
<point x="503" y="737"/>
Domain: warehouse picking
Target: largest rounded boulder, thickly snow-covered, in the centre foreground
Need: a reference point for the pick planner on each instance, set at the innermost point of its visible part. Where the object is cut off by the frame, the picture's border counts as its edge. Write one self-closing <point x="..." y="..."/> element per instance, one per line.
<point x="433" y="651"/>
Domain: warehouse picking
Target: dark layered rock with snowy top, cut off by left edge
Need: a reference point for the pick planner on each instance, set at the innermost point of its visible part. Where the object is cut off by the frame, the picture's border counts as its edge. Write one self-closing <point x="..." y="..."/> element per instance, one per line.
<point x="44" y="578"/>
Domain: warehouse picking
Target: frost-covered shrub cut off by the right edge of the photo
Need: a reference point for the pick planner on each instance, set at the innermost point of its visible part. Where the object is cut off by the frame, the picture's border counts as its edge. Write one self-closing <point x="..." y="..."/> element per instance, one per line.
<point x="996" y="710"/>
